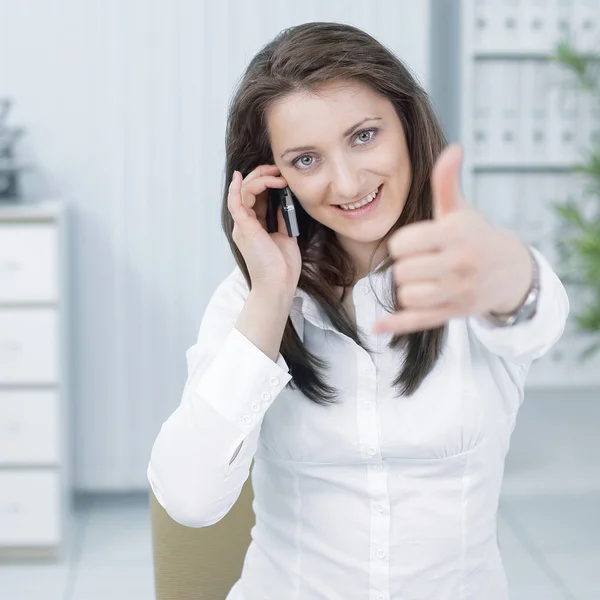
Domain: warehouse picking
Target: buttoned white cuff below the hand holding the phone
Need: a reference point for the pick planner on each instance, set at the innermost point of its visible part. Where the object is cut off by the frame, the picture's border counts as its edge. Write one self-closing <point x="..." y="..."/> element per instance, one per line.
<point x="242" y="382"/>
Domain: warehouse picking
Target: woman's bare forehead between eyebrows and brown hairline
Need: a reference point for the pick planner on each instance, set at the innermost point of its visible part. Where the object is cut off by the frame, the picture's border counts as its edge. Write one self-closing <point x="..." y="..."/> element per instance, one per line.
<point x="335" y="106"/>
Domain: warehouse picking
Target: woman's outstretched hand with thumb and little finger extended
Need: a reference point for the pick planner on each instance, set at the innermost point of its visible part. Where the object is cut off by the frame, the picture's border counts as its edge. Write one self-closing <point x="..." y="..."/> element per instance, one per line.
<point x="456" y="264"/>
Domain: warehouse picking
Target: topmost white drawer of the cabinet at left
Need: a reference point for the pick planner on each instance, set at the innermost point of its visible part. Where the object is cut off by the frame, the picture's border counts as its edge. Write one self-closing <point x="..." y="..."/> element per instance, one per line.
<point x="28" y="263"/>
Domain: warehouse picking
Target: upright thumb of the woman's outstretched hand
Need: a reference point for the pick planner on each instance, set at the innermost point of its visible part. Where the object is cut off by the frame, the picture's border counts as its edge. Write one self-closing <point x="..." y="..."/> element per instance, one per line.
<point x="445" y="182"/>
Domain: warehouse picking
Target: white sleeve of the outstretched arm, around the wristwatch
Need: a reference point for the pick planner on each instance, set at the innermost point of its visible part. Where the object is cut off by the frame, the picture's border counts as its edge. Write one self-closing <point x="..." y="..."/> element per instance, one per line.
<point x="528" y="341"/>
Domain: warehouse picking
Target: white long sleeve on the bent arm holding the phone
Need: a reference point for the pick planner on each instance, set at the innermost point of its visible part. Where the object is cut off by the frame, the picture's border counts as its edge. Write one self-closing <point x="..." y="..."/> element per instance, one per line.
<point x="197" y="468"/>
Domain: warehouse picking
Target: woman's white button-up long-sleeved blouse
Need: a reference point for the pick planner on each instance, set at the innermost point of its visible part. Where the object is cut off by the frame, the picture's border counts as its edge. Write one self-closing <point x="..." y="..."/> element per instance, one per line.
<point x="375" y="497"/>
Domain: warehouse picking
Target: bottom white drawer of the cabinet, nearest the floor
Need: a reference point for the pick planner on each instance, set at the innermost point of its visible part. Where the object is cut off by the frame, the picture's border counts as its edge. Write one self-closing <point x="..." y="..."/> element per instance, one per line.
<point x="29" y="508"/>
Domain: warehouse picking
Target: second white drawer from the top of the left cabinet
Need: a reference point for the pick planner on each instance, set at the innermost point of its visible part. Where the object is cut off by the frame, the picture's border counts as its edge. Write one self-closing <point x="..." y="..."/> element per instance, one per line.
<point x="29" y="345"/>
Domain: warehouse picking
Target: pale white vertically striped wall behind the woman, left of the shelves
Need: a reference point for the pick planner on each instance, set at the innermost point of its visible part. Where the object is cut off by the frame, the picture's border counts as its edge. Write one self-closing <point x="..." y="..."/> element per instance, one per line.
<point x="124" y="102"/>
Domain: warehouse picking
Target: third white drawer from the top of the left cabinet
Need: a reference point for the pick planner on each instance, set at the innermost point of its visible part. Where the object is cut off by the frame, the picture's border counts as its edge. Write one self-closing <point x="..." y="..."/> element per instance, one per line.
<point x="29" y="422"/>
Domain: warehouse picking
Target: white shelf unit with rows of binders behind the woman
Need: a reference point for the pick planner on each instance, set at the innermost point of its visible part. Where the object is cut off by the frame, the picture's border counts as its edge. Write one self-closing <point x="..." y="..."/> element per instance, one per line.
<point x="524" y="125"/>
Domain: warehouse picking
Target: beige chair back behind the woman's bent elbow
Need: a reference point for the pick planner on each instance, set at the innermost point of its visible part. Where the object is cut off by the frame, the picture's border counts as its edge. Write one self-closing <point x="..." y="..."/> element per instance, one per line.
<point x="200" y="564"/>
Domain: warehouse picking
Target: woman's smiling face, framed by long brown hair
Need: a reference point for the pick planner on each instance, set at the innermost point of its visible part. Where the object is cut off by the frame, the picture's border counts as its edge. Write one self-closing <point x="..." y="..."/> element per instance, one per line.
<point x="338" y="149"/>
